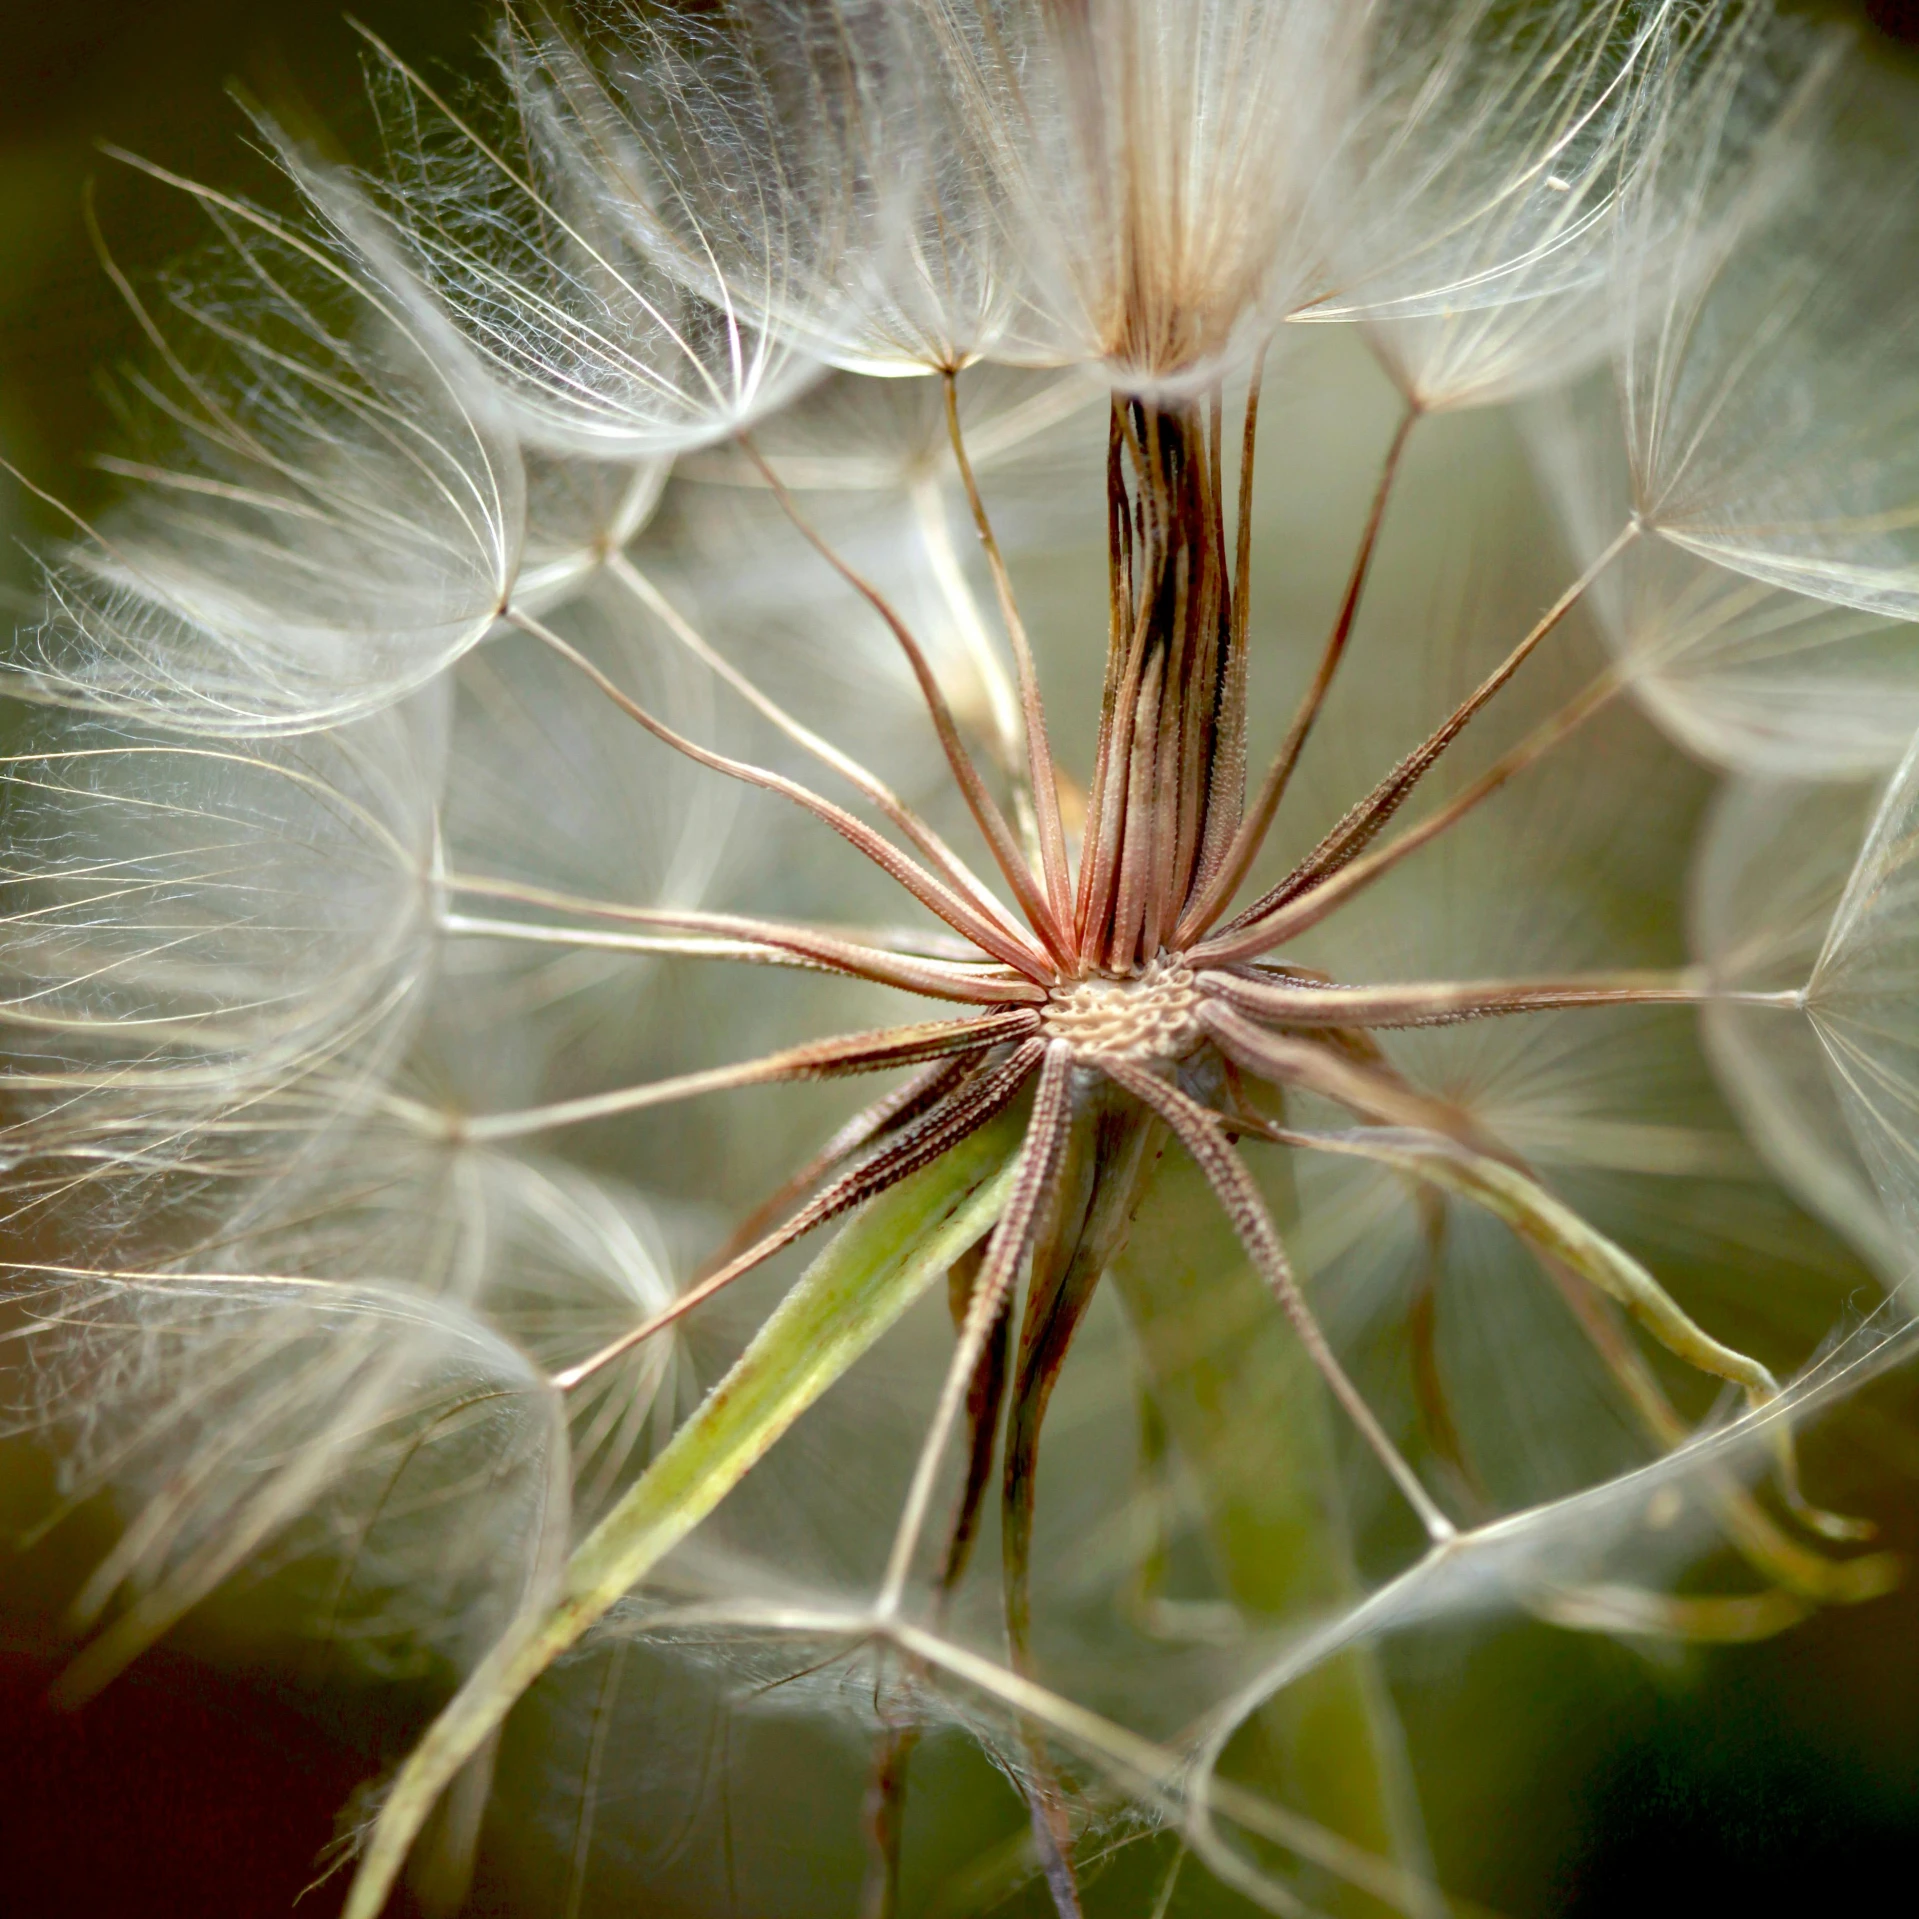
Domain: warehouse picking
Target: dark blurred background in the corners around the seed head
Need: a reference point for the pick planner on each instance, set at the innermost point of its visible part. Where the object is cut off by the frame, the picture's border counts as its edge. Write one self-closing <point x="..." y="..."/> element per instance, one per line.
<point x="1770" y="1780"/>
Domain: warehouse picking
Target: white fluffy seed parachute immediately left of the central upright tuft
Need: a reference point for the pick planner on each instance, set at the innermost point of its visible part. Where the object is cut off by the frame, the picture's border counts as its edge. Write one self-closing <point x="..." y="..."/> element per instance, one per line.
<point x="815" y="162"/>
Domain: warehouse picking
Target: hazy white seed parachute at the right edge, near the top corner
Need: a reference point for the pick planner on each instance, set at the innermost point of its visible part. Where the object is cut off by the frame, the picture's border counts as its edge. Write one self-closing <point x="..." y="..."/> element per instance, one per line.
<point x="1772" y="367"/>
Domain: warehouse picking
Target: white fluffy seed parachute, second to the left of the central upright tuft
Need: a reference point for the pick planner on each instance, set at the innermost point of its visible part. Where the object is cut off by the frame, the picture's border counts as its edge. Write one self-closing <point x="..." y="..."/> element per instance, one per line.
<point x="559" y="258"/>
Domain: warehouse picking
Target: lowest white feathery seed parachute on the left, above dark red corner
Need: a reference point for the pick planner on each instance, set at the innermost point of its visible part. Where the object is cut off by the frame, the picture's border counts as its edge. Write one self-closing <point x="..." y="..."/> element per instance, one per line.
<point x="387" y="1463"/>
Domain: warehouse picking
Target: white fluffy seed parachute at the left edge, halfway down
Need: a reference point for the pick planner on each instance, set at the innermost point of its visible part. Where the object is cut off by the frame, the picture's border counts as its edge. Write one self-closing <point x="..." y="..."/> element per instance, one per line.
<point x="195" y="926"/>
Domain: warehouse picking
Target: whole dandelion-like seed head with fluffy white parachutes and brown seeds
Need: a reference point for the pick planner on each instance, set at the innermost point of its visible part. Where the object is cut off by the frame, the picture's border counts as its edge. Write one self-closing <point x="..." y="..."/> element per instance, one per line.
<point x="615" y="634"/>
